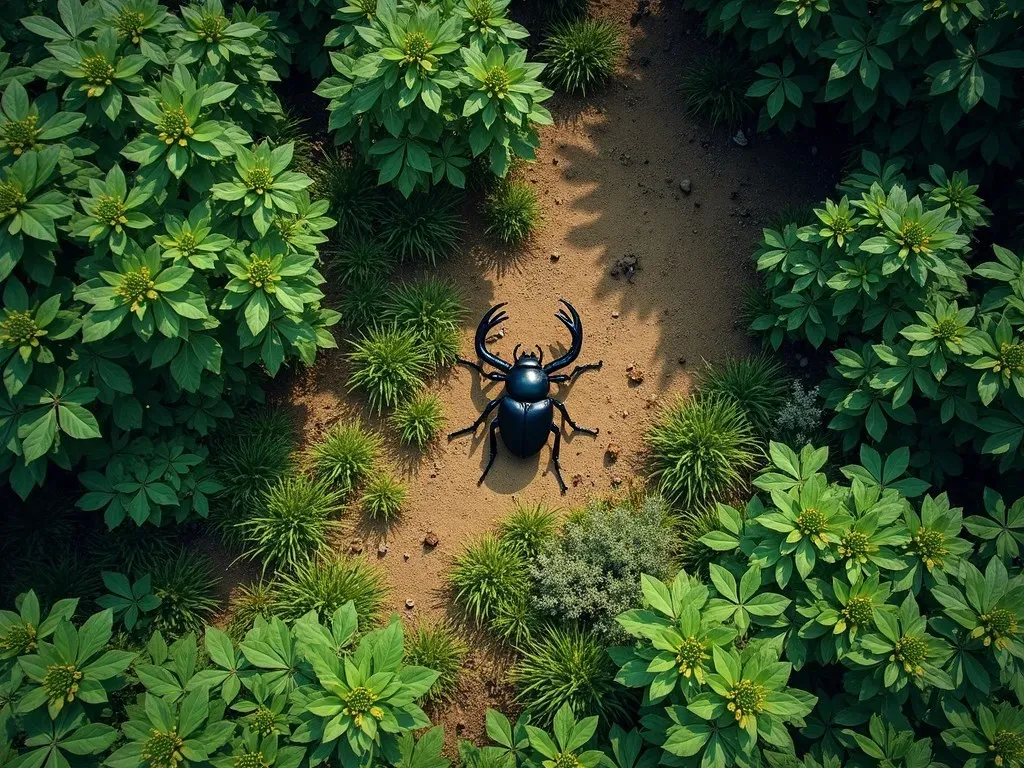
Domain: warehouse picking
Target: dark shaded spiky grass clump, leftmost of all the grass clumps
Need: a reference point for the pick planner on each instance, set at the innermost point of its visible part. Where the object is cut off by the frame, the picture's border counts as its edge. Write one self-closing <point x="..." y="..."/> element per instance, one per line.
<point x="188" y="590"/>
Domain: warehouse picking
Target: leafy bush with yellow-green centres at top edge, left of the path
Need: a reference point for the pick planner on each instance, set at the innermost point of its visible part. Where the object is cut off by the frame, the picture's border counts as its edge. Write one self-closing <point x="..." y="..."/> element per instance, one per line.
<point x="421" y="90"/>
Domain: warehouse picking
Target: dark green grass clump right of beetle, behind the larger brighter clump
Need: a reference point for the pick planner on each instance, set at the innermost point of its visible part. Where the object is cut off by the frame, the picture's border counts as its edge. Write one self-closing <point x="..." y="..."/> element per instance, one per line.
<point x="758" y="385"/>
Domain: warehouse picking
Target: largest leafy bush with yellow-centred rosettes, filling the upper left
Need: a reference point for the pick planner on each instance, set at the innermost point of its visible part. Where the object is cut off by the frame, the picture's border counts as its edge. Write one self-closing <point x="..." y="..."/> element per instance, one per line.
<point x="188" y="249"/>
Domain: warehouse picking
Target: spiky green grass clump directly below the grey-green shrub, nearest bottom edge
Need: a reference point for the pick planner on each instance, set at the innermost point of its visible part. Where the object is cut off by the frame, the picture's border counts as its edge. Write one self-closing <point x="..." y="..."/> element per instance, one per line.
<point x="568" y="667"/>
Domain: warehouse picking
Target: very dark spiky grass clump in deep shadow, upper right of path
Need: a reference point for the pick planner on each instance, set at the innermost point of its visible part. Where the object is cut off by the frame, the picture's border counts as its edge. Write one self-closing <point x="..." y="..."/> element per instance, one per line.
<point x="714" y="90"/>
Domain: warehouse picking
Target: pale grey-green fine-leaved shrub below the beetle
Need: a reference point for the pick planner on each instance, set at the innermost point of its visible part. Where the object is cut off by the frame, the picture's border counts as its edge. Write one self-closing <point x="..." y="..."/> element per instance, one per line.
<point x="591" y="573"/>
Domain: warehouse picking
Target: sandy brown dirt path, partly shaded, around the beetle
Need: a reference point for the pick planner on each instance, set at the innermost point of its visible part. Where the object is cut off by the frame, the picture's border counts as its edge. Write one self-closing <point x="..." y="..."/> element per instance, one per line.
<point x="609" y="177"/>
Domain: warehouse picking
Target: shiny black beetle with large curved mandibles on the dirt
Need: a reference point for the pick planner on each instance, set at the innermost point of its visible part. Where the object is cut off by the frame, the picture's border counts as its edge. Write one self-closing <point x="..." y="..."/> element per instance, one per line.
<point x="526" y="412"/>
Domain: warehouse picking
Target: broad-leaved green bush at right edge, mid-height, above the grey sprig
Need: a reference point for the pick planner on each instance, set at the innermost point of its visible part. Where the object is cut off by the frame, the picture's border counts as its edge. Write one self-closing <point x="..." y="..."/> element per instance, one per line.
<point x="921" y="357"/>
